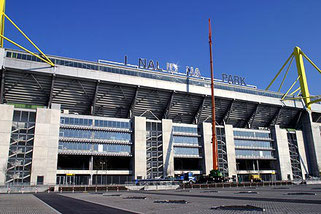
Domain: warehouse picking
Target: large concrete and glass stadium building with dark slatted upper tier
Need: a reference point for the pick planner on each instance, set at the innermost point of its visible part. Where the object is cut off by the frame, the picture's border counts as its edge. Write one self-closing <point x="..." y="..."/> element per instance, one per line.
<point x="84" y="122"/>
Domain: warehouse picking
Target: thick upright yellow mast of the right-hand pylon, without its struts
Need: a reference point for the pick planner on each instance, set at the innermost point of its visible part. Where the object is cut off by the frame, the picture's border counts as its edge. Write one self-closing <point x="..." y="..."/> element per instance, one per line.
<point x="303" y="79"/>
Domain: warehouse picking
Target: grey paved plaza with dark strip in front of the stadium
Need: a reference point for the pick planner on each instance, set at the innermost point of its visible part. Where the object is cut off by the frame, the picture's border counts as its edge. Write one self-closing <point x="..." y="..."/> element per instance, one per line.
<point x="279" y="199"/>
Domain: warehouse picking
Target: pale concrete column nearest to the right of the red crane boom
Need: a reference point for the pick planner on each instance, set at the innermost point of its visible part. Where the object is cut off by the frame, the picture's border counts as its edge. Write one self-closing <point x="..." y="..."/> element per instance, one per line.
<point x="230" y="149"/>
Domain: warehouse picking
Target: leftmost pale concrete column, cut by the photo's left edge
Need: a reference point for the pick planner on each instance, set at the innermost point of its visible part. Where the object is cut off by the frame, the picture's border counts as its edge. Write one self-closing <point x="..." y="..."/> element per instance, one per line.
<point x="6" y="112"/>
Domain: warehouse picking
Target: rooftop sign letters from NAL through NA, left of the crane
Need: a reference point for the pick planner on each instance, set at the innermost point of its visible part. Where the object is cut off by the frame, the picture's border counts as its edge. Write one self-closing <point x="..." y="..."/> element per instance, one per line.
<point x="170" y="67"/>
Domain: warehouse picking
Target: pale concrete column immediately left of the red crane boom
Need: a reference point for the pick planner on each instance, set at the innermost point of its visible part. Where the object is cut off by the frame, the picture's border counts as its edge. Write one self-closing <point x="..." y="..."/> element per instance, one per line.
<point x="207" y="146"/>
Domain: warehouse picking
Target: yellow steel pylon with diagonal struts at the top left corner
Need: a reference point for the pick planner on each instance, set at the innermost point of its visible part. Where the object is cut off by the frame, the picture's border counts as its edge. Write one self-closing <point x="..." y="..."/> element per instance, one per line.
<point x="42" y="57"/>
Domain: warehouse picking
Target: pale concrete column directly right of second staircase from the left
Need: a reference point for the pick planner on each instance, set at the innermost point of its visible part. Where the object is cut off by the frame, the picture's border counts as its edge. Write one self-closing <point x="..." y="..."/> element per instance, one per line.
<point x="168" y="151"/>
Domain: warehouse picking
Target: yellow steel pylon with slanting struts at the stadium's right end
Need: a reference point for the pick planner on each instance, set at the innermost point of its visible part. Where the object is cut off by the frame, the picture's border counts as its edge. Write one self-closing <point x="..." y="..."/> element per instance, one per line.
<point x="304" y="88"/>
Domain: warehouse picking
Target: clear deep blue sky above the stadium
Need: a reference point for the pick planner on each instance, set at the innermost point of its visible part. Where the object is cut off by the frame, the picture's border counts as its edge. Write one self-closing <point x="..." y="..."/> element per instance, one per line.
<point x="252" y="38"/>
